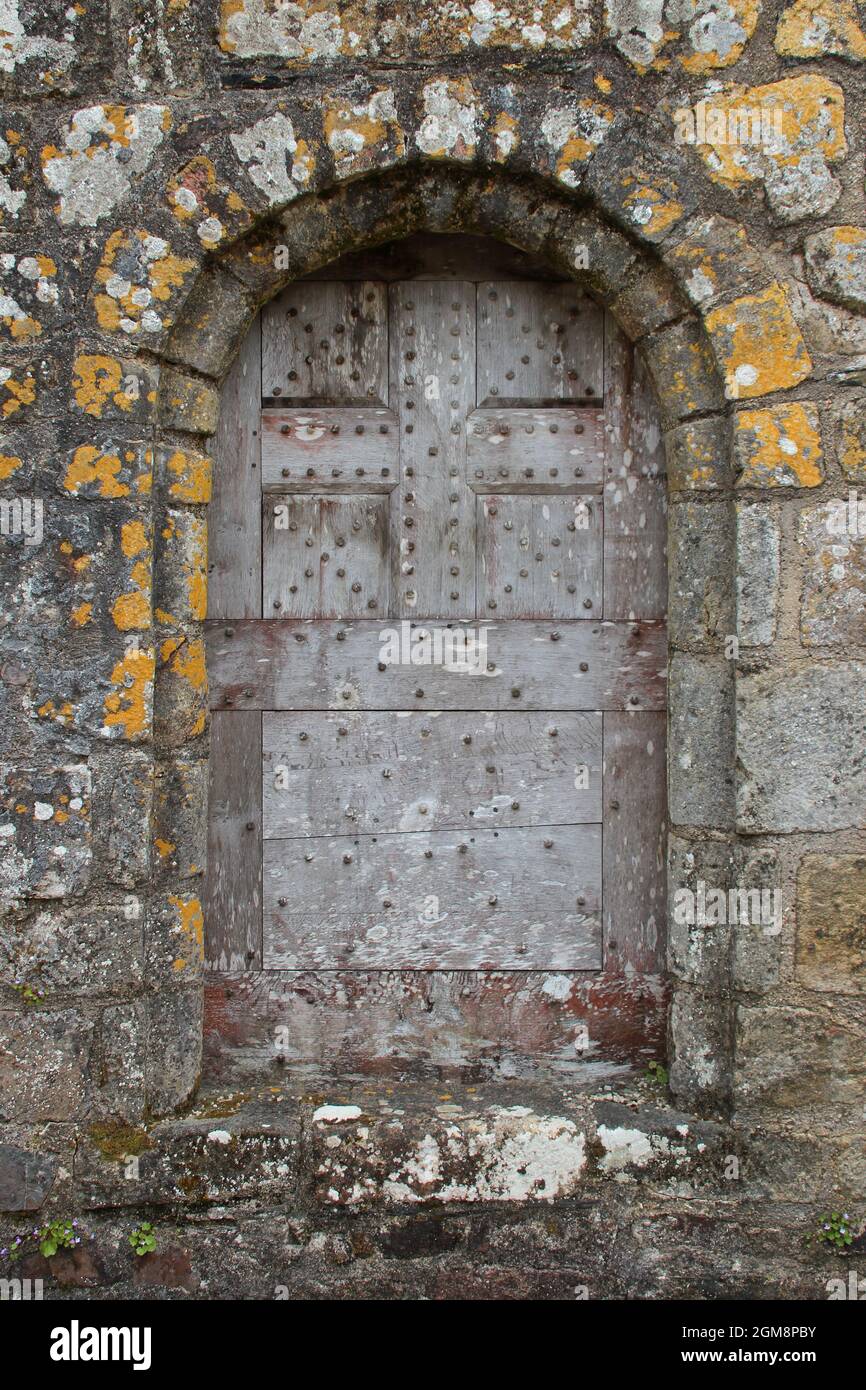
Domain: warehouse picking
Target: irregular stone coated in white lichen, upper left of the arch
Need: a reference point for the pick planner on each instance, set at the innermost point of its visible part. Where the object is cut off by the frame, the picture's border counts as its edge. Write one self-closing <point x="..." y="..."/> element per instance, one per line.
<point x="105" y="148"/>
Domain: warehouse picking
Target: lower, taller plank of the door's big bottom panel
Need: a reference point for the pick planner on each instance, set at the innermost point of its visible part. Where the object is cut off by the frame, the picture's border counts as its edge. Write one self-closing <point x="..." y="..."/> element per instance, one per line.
<point x="482" y="900"/>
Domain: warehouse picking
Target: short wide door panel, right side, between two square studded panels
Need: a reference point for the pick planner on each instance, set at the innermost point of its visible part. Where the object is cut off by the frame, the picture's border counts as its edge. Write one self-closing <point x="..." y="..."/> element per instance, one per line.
<point x="554" y="450"/>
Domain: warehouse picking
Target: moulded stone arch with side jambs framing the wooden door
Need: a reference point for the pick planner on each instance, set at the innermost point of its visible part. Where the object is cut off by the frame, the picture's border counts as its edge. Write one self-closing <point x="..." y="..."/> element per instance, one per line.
<point x="654" y="312"/>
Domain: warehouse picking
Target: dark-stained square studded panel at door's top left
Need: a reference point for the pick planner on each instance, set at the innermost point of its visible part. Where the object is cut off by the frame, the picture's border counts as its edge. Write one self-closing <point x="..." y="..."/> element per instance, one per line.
<point x="329" y="343"/>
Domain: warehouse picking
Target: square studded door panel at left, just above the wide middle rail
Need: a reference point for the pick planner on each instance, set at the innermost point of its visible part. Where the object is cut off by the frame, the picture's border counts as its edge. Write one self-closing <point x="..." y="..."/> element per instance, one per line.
<point x="325" y="557"/>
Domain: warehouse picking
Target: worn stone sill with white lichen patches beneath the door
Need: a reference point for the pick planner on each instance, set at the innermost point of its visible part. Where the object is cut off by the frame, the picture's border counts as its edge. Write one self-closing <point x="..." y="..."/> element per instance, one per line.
<point x="377" y="1145"/>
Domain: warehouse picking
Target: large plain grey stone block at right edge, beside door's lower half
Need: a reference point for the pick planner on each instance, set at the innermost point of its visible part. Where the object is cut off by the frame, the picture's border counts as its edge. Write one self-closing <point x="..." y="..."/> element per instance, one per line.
<point x="800" y="749"/>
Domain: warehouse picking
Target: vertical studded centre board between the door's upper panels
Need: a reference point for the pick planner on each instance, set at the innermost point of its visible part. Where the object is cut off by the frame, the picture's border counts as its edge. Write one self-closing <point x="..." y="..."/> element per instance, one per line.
<point x="433" y="386"/>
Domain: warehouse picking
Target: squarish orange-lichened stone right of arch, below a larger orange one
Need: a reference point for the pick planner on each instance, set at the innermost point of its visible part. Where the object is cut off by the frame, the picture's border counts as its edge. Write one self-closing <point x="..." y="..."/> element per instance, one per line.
<point x="779" y="448"/>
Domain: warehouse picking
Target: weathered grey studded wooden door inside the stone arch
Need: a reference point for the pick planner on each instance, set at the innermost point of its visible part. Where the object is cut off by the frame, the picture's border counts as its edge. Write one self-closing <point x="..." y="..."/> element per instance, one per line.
<point x="437" y="653"/>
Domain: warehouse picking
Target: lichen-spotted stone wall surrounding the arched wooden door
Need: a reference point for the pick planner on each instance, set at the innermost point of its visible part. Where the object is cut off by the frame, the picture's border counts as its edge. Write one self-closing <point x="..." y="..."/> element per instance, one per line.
<point x="700" y="167"/>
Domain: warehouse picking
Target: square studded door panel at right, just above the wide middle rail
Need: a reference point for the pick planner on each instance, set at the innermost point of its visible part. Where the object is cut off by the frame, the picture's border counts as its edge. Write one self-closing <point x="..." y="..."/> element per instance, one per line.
<point x="540" y="557"/>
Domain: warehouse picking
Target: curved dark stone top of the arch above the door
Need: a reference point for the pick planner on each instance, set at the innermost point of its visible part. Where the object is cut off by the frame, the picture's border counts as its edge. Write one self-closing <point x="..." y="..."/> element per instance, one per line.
<point x="539" y="216"/>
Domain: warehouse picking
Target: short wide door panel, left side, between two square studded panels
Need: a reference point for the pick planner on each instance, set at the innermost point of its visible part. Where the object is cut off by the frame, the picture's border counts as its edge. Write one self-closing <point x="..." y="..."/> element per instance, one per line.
<point x="330" y="450"/>
